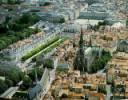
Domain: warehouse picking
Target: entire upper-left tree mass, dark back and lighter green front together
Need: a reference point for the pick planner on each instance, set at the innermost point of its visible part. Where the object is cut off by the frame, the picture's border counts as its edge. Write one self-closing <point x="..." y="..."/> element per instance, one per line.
<point x="12" y="31"/>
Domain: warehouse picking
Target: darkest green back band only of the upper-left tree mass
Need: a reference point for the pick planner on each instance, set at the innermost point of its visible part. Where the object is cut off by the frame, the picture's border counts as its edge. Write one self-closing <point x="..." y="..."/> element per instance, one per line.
<point x="26" y="20"/>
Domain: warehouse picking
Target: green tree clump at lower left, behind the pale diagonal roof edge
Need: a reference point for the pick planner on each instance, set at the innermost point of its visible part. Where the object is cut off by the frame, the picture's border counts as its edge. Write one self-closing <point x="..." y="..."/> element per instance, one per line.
<point x="14" y="76"/>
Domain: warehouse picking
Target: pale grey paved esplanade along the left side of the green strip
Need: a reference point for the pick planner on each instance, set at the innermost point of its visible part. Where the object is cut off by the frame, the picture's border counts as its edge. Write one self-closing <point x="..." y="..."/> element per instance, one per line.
<point x="14" y="55"/>
